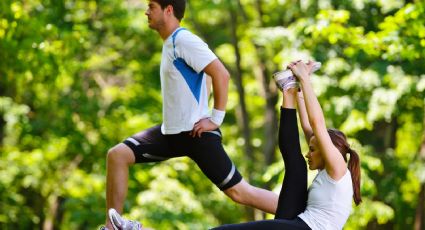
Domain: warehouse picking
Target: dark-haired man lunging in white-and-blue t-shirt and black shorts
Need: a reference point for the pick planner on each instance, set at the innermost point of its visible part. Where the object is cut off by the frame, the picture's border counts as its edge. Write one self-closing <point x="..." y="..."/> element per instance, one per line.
<point x="188" y="129"/>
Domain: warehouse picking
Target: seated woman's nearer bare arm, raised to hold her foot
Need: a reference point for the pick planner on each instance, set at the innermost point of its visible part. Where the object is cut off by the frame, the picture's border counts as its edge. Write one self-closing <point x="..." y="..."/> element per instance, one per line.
<point x="334" y="162"/>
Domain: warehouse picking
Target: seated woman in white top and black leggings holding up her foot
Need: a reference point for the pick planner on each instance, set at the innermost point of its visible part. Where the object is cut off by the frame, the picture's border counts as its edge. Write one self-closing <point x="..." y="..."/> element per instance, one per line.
<point x="327" y="203"/>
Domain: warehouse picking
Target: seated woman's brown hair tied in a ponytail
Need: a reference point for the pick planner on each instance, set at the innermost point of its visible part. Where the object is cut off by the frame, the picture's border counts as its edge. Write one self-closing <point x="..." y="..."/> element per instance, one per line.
<point x="340" y="141"/>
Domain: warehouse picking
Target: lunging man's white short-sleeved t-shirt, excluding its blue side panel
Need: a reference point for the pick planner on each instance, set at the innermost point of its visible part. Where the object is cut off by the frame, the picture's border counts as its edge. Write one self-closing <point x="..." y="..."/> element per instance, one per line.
<point x="181" y="108"/>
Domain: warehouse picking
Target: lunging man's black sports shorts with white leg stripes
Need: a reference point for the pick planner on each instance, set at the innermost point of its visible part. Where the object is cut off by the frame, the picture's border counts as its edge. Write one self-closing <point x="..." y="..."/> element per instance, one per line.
<point x="207" y="151"/>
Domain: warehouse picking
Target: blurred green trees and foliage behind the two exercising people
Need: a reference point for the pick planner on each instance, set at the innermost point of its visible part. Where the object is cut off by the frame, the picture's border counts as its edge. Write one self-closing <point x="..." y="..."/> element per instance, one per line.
<point x="79" y="76"/>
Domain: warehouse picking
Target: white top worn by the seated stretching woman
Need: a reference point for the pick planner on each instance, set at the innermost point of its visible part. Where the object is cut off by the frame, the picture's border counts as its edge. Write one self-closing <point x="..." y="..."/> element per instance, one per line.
<point x="329" y="202"/>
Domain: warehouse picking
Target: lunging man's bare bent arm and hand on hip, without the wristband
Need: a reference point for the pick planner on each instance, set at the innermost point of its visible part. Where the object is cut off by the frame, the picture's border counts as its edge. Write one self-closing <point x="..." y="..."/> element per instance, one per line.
<point x="220" y="84"/>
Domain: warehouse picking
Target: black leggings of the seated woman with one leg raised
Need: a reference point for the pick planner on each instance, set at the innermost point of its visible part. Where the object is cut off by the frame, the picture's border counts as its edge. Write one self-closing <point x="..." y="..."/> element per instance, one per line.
<point x="293" y="196"/>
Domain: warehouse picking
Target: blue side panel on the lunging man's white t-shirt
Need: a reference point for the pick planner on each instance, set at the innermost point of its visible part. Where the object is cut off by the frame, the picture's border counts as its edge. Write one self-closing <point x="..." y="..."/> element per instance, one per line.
<point x="193" y="79"/>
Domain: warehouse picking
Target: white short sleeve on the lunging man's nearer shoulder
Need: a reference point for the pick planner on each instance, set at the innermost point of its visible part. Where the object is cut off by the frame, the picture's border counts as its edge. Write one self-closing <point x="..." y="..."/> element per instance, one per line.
<point x="193" y="50"/>
